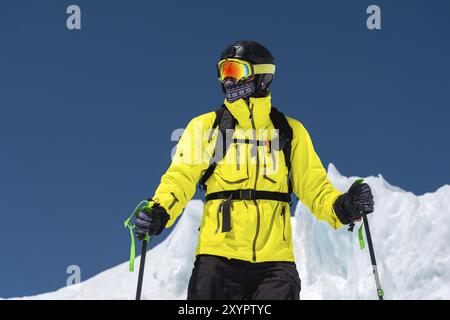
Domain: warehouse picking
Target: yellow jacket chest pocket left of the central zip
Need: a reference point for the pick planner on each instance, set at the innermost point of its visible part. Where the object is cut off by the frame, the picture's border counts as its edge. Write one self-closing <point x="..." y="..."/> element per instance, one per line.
<point x="233" y="168"/>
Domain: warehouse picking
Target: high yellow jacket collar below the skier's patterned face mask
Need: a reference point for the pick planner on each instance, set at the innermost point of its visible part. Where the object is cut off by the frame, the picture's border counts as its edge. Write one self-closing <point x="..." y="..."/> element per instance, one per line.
<point x="261" y="111"/>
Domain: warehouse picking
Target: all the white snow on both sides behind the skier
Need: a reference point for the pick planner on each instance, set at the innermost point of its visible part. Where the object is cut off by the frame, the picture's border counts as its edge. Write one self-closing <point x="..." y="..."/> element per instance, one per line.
<point x="411" y="236"/>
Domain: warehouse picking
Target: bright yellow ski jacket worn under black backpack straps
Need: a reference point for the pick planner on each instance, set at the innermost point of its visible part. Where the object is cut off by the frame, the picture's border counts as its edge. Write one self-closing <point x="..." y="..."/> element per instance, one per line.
<point x="261" y="230"/>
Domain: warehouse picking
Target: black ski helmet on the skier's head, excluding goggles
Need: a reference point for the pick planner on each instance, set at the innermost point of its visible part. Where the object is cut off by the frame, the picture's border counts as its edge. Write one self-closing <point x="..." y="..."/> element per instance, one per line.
<point x="254" y="53"/>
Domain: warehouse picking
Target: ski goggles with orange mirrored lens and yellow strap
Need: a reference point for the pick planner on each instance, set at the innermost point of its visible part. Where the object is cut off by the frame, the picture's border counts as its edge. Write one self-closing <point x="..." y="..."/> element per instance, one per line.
<point x="241" y="69"/>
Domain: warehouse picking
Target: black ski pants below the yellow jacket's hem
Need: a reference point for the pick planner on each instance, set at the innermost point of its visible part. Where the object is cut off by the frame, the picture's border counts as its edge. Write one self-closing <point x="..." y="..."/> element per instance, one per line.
<point x="219" y="278"/>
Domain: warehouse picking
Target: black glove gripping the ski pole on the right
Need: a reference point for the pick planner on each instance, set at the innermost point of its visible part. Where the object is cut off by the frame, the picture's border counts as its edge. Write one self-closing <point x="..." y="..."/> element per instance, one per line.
<point x="355" y="203"/>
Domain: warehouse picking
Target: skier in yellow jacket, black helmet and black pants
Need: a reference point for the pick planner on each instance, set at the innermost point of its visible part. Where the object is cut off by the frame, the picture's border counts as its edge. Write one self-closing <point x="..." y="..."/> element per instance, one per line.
<point x="245" y="246"/>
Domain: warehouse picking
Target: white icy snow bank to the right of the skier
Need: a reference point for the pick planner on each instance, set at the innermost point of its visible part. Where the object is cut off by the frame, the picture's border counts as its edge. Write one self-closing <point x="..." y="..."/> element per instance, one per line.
<point x="411" y="237"/>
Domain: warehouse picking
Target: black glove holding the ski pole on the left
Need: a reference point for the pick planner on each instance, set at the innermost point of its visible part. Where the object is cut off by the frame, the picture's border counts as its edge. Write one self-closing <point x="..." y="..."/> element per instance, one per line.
<point x="151" y="222"/>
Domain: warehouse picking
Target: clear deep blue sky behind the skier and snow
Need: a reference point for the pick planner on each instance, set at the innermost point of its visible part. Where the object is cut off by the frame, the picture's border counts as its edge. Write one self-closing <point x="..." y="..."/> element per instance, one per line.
<point x="86" y="116"/>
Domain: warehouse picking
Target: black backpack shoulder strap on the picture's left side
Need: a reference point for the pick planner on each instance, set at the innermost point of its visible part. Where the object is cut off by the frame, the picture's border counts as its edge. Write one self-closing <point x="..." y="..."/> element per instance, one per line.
<point x="224" y="121"/>
